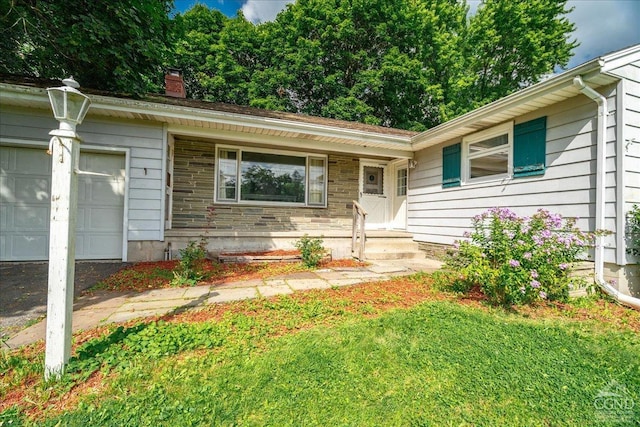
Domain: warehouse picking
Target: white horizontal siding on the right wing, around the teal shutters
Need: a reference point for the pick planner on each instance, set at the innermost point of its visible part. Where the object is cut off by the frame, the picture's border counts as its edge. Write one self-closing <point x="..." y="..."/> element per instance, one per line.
<point x="441" y="215"/>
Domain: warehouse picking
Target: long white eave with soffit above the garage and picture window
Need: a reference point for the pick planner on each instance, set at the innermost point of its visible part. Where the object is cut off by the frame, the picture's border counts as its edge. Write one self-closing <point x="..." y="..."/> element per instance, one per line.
<point x="197" y="118"/>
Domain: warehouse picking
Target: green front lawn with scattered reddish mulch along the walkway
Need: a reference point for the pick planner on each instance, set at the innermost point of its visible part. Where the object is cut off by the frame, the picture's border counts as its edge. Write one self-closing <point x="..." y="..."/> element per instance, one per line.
<point x="387" y="353"/>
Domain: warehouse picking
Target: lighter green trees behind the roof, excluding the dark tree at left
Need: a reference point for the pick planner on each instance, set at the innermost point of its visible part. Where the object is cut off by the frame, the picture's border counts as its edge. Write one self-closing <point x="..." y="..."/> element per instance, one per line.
<point x="406" y="64"/>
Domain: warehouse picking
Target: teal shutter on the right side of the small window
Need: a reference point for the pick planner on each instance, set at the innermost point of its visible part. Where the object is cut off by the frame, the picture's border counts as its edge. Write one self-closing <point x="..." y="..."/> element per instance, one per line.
<point x="529" y="146"/>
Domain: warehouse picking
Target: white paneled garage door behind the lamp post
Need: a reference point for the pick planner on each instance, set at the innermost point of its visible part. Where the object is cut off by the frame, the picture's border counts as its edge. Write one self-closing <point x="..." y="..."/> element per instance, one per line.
<point x="25" y="183"/>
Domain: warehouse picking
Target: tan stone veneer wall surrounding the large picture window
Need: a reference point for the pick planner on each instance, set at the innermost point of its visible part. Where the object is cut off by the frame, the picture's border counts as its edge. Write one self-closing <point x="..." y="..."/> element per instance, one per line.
<point x="193" y="190"/>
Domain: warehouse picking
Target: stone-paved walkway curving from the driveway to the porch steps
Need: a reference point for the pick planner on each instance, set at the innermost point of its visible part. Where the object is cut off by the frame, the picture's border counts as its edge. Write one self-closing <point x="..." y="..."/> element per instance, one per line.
<point x="105" y="307"/>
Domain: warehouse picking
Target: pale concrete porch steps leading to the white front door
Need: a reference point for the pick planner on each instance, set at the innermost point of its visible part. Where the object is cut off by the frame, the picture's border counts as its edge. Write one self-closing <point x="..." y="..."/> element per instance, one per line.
<point x="390" y="245"/>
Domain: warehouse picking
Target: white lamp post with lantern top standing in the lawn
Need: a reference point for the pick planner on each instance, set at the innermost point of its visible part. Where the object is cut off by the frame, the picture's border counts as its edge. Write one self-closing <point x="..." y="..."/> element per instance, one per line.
<point x="69" y="107"/>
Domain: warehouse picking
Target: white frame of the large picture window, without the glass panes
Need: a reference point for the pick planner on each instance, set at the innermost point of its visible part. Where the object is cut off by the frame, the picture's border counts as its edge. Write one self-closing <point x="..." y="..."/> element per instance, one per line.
<point x="238" y="201"/>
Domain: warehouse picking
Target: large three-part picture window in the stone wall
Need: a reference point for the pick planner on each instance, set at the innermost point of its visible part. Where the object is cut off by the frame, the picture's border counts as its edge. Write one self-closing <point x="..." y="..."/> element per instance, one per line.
<point x="256" y="176"/>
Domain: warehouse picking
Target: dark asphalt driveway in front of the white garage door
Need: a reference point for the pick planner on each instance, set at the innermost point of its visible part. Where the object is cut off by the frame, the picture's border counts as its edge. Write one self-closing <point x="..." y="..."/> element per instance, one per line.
<point x="23" y="289"/>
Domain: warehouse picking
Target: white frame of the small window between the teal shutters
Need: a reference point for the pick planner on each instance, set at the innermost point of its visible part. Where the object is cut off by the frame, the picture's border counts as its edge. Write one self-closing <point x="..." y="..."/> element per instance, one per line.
<point x="467" y="141"/>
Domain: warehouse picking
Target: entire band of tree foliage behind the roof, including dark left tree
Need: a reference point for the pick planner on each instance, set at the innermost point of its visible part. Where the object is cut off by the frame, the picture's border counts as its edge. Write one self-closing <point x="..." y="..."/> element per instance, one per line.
<point x="408" y="64"/>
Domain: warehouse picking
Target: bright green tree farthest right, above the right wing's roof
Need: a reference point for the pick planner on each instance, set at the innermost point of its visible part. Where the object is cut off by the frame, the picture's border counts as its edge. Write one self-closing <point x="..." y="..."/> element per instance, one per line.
<point x="512" y="44"/>
